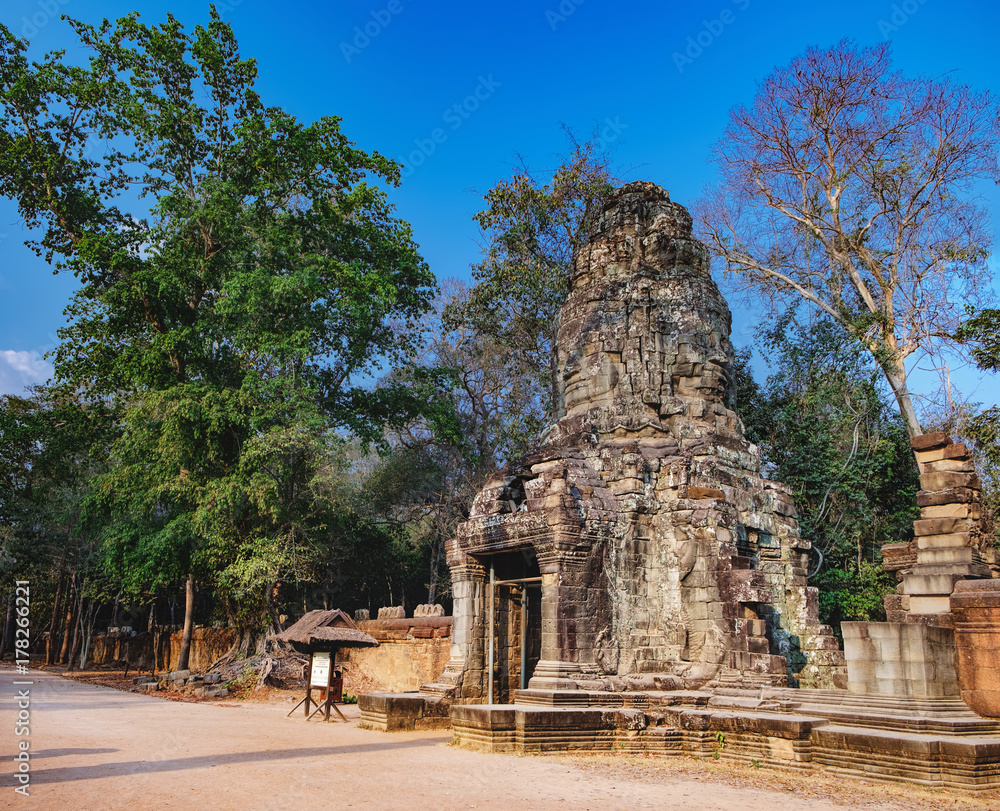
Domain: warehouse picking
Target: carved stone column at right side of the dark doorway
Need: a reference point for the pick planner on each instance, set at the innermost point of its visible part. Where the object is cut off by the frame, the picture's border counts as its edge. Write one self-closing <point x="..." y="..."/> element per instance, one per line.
<point x="567" y="634"/>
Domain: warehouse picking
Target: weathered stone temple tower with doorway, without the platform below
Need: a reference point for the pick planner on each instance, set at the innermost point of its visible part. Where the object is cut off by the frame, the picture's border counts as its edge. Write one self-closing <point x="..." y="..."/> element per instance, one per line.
<point x="639" y="548"/>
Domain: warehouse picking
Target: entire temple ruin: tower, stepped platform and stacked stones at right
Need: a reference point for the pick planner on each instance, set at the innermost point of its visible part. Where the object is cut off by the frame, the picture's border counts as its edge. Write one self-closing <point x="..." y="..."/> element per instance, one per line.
<point x="637" y="585"/>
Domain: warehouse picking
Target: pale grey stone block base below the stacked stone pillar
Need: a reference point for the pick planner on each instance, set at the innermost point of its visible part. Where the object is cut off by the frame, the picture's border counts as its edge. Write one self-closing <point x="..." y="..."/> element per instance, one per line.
<point x="900" y="659"/>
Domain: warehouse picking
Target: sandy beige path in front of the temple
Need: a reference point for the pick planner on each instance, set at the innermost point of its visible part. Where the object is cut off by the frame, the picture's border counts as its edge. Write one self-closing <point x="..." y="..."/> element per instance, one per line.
<point x="96" y="748"/>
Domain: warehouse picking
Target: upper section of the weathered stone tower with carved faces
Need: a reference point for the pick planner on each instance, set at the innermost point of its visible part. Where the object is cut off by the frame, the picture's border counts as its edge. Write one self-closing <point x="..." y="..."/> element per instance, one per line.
<point x="645" y="324"/>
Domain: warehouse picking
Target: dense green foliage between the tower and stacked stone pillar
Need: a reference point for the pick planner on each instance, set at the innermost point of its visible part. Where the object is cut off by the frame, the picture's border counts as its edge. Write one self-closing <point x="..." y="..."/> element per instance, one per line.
<point x="826" y="429"/>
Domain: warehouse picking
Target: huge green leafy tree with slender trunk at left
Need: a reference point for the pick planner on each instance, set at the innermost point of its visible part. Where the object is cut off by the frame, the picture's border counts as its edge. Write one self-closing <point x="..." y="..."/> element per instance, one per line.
<point x="238" y="269"/>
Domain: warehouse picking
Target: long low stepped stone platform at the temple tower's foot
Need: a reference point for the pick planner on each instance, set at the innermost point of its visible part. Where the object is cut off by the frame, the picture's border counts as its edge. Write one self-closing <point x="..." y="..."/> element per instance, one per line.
<point x="937" y="743"/>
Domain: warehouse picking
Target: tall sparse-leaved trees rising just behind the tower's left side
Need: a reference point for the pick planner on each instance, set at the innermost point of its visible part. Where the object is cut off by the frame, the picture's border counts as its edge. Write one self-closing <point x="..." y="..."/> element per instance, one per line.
<point x="489" y="352"/>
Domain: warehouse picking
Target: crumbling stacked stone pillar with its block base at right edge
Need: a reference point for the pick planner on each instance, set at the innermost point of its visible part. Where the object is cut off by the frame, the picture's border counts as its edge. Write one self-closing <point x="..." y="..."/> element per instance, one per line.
<point x="943" y="630"/>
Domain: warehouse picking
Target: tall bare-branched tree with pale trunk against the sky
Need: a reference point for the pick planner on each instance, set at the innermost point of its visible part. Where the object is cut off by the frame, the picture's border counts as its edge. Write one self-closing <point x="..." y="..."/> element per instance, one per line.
<point x="852" y="187"/>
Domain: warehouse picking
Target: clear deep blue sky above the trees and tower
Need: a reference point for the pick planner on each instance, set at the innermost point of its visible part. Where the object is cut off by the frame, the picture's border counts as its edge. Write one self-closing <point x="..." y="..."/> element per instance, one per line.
<point x="655" y="79"/>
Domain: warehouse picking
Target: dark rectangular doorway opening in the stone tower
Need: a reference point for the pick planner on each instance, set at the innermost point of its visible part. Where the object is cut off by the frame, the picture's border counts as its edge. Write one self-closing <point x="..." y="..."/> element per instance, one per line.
<point x="514" y="637"/>
